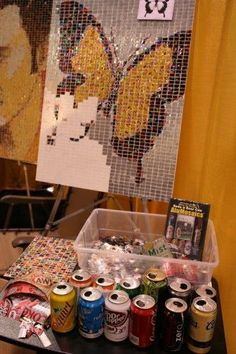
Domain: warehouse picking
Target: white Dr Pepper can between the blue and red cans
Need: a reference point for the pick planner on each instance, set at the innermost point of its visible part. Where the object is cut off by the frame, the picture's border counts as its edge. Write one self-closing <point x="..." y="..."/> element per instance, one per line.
<point x="116" y="323"/>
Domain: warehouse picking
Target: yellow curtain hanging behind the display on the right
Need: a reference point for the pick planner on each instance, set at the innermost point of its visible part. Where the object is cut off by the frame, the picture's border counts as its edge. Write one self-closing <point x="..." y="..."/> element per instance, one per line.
<point x="206" y="169"/>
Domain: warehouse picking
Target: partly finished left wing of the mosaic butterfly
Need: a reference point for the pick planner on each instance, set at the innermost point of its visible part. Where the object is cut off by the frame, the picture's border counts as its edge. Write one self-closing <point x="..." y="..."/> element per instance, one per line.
<point x="85" y="55"/>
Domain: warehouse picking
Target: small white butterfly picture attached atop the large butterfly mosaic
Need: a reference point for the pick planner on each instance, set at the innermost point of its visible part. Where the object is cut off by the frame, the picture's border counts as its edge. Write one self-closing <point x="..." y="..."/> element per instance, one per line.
<point x="156" y="10"/>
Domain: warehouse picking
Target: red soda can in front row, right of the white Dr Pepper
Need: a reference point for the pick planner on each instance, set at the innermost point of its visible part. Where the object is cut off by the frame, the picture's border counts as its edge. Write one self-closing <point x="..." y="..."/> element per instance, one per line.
<point x="142" y="321"/>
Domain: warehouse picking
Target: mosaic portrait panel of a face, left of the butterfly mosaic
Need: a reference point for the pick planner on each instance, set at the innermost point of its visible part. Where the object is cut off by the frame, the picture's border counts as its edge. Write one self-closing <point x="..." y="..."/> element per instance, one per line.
<point x="24" y="31"/>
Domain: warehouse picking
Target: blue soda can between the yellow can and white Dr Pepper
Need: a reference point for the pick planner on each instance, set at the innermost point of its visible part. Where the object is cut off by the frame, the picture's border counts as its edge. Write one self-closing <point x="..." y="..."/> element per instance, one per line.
<point x="91" y="312"/>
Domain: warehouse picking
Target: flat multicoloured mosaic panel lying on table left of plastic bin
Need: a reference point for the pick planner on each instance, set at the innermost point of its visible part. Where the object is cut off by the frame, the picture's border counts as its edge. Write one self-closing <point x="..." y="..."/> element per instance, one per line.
<point x="45" y="258"/>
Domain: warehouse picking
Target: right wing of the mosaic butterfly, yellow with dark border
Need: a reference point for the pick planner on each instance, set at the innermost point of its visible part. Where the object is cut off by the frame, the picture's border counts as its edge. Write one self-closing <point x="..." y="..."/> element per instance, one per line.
<point x="156" y="77"/>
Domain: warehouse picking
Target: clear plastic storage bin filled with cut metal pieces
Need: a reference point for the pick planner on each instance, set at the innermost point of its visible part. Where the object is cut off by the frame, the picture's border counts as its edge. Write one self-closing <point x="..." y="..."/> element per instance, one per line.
<point x="135" y="225"/>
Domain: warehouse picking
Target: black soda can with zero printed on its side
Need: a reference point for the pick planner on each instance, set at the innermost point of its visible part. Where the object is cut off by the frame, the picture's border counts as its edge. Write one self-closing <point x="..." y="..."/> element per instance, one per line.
<point x="172" y="331"/>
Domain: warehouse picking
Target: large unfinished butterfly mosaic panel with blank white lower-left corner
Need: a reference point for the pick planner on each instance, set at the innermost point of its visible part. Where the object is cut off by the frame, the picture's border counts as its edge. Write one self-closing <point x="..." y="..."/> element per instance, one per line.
<point x="114" y="97"/>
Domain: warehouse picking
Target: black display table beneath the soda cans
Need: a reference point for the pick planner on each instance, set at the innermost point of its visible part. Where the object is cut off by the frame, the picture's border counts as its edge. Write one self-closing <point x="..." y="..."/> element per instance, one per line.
<point x="73" y="343"/>
